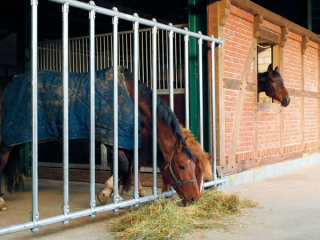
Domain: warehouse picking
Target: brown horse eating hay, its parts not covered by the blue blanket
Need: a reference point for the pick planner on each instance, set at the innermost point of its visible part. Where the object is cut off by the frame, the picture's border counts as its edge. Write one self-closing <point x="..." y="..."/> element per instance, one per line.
<point x="170" y="141"/>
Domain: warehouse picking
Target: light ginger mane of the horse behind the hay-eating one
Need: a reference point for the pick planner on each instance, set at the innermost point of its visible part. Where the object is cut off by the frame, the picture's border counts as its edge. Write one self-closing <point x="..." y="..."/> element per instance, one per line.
<point x="205" y="160"/>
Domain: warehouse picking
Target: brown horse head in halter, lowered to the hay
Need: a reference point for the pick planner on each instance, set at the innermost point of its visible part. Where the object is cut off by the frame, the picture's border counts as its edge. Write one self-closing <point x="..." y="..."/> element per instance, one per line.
<point x="179" y="172"/>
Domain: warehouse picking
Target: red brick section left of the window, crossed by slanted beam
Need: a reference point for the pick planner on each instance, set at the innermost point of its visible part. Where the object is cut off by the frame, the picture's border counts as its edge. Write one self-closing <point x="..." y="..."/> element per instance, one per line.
<point x="238" y="37"/>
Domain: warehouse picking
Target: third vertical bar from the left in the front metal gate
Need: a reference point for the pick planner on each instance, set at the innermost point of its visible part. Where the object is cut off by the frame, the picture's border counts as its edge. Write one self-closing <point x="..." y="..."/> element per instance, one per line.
<point x="92" y="16"/>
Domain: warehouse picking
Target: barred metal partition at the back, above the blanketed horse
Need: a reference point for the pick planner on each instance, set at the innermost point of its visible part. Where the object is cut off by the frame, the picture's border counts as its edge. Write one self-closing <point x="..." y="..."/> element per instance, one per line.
<point x="50" y="56"/>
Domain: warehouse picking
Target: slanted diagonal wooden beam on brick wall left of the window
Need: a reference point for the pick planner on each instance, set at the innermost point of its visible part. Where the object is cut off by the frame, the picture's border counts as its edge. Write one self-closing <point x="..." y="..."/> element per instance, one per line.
<point x="248" y="65"/>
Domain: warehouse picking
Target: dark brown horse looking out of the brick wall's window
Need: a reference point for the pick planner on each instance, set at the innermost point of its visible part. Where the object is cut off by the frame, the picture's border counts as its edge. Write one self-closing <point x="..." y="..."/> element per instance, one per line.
<point x="272" y="84"/>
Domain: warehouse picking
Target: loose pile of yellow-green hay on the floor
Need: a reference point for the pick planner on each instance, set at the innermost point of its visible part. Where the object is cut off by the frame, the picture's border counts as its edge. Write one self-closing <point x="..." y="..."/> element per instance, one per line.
<point x="167" y="219"/>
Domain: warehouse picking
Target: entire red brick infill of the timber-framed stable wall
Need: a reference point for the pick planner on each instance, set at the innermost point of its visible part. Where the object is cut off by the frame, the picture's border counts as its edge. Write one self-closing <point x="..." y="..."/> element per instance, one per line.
<point x="238" y="32"/>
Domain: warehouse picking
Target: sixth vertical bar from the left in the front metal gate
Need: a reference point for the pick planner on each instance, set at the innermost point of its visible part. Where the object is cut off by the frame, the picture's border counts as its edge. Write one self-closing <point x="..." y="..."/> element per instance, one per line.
<point x="154" y="109"/>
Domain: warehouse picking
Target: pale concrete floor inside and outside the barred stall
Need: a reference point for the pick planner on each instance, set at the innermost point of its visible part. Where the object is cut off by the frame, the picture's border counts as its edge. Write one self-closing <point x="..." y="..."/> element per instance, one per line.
<point x="290" y="210"/>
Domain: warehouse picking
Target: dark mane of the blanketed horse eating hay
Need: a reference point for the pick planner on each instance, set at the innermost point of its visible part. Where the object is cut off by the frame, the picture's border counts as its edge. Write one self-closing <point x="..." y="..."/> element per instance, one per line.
<point x="164" y="113"/>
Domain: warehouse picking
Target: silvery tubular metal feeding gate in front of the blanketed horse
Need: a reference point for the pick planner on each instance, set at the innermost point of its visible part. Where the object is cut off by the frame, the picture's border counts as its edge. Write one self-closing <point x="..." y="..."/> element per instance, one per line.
<point x="66" y="215"/>
